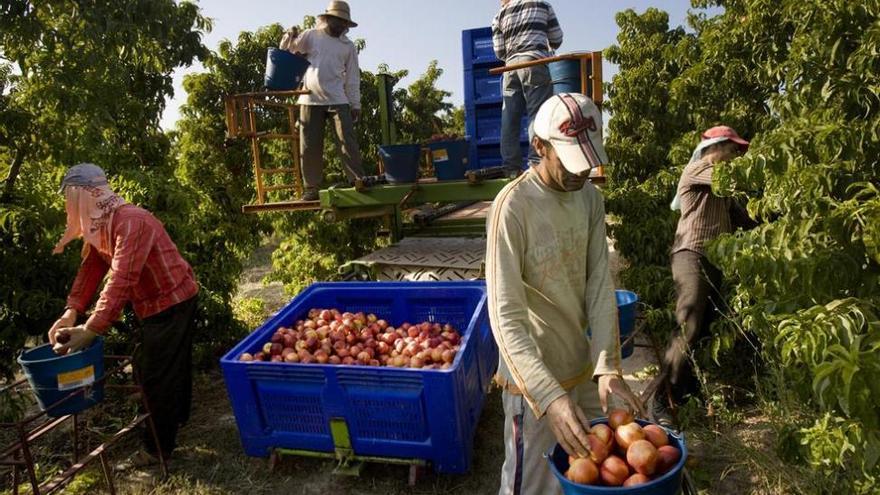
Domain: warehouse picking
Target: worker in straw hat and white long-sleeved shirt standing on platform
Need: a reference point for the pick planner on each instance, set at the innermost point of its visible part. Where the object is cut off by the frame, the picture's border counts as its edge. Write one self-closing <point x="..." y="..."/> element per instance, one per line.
<point x="334" y="83"/>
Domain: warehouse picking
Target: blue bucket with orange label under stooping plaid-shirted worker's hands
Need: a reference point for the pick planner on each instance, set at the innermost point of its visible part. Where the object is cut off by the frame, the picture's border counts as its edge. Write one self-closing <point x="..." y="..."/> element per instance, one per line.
<point x="53" y="377"/>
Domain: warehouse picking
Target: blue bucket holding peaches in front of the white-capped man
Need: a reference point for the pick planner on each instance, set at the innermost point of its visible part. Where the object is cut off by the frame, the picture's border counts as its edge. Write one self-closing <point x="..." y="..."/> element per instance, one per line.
<point x="667" y="484"/>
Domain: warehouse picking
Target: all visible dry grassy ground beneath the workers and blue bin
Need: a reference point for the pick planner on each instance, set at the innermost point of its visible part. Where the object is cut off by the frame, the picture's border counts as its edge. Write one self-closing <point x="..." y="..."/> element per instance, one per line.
<point x="736" y="459"/>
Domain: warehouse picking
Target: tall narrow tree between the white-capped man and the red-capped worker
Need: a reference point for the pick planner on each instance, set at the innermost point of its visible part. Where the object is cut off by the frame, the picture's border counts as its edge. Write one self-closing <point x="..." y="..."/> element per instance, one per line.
<point x="641" y="133"/>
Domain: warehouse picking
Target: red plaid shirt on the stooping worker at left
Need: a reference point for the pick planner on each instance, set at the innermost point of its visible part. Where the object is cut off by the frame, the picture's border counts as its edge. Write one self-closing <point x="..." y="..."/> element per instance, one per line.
<point x="146" y="269"/>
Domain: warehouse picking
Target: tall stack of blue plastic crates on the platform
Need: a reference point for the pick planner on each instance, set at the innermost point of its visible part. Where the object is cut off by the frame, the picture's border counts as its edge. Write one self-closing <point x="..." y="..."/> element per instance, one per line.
<point x="482" y="101"/>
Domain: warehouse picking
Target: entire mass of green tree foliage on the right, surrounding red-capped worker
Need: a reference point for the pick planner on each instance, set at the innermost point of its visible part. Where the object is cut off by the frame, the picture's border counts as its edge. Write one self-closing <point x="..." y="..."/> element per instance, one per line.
<point x="800" y="78"/>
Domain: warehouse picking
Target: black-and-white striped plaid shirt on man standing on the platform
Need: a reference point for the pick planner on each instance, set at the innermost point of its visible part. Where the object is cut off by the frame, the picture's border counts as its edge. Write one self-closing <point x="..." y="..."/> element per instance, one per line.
<point x="525" y="28"/>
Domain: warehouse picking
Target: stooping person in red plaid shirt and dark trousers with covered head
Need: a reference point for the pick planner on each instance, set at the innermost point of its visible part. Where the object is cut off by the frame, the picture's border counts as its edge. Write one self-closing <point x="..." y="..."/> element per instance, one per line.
<point x="143" y="267"/>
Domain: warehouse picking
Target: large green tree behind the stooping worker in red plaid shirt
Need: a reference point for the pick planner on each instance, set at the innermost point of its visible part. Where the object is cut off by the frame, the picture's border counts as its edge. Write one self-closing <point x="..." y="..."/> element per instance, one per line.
<point x="81" y="82"/>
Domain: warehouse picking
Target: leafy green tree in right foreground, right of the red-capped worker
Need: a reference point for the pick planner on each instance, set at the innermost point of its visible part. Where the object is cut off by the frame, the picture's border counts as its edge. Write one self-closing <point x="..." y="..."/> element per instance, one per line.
<point x="808" y="281"/>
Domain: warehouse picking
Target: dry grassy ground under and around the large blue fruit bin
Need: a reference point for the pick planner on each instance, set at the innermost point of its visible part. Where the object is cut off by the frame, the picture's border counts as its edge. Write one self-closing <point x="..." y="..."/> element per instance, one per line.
<point x="211" y="461"/>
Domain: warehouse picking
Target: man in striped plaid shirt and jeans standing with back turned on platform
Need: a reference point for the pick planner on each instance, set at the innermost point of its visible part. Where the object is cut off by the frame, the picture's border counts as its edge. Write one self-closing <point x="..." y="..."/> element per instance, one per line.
<point x="523" y="30"/>
